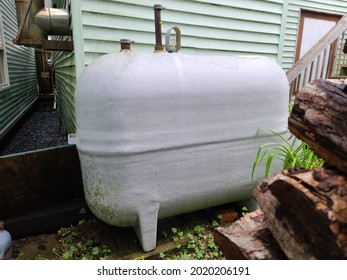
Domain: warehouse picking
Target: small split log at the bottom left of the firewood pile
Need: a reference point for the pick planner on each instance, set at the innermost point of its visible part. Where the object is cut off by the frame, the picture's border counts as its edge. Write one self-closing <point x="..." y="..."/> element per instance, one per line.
<point x="248" y="239"/>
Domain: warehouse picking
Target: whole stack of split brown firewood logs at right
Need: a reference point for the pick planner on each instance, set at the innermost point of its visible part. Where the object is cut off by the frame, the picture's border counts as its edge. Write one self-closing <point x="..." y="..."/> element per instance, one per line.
<point x="303" y="213"/>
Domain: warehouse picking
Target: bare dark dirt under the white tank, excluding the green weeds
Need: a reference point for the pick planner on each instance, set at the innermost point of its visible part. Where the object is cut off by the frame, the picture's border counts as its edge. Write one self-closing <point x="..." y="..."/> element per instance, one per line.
<point x="121" y="242"/>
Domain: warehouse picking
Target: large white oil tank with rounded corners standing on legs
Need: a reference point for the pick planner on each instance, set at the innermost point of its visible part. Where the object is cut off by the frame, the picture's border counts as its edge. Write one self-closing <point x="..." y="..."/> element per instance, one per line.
<point x="162" y="134"/>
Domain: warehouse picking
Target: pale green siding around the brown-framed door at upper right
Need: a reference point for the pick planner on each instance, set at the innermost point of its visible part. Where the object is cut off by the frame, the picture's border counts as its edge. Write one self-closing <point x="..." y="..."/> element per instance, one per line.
<point x="292" y="24"/>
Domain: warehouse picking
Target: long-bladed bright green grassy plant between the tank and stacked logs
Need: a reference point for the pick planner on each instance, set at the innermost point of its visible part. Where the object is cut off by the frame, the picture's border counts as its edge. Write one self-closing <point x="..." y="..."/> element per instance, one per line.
<point x="293" y="153"/>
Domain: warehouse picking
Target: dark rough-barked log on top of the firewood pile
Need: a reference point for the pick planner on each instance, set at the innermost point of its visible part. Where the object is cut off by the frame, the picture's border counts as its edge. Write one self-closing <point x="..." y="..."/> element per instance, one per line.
<point x="319" y="118"/>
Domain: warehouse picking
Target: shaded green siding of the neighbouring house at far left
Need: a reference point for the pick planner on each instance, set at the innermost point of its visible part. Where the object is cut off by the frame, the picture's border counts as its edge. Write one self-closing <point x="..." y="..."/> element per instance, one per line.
<point x="22" y="92"/>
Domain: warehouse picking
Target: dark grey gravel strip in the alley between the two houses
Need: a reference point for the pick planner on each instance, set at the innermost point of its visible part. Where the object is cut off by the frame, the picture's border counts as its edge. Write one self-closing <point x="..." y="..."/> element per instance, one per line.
<point x="37" y="130"/>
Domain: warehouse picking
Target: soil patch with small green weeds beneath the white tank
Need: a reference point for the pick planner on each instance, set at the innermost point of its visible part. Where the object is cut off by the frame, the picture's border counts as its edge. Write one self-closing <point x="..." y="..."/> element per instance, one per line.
<point x="93" y="239"/>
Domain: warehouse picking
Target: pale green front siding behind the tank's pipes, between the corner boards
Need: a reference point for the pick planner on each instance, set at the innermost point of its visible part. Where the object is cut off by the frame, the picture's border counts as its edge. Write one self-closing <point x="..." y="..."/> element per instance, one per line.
<point x="237" y="27"/>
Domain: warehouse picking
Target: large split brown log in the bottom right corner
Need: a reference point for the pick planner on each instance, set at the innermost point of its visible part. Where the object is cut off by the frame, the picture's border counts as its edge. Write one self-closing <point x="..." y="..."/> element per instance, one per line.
<point x="306" y="211"/>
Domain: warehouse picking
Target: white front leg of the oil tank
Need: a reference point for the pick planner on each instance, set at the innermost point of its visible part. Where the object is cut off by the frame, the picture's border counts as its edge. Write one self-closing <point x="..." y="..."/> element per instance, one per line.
<point x="146" y="230"/>
